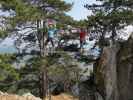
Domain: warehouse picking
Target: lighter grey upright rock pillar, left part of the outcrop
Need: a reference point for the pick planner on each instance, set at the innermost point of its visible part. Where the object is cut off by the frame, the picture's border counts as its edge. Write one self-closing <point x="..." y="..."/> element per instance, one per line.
<point x="105" y="74"/>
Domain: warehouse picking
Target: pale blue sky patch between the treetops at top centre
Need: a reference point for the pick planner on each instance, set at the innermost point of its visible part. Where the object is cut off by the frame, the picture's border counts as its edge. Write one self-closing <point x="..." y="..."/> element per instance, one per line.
<point x="78" y="11"/>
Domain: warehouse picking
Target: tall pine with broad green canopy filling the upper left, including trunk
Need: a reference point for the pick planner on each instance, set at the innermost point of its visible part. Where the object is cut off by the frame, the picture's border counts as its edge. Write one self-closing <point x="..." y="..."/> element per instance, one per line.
<point x="33" y="14"/>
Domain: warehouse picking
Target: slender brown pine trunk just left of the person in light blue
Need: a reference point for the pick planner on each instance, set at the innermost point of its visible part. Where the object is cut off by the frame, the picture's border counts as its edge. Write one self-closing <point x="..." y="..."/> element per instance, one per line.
<point x="44" y="77"/>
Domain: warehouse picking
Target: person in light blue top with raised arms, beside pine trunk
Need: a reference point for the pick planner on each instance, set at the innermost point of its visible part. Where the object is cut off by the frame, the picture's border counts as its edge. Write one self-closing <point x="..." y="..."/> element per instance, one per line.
<point x="51" y="34"/>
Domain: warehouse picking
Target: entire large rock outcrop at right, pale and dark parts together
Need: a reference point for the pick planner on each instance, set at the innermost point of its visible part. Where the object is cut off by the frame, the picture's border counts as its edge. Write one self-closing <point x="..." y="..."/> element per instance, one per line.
<point x="114" y="72"/>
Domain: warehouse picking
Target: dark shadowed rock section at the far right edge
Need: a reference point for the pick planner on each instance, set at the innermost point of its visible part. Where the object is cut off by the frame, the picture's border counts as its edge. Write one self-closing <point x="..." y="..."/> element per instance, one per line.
<point x="125" y="70"/>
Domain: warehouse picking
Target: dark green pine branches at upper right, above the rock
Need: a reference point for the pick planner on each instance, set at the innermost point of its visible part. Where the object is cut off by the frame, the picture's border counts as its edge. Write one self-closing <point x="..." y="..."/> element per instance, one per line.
<point x="109" y="16"/>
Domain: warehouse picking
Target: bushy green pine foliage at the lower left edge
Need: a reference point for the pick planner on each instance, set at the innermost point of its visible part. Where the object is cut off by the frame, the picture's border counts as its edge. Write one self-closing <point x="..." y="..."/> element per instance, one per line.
<point x="8" y="74"/>
